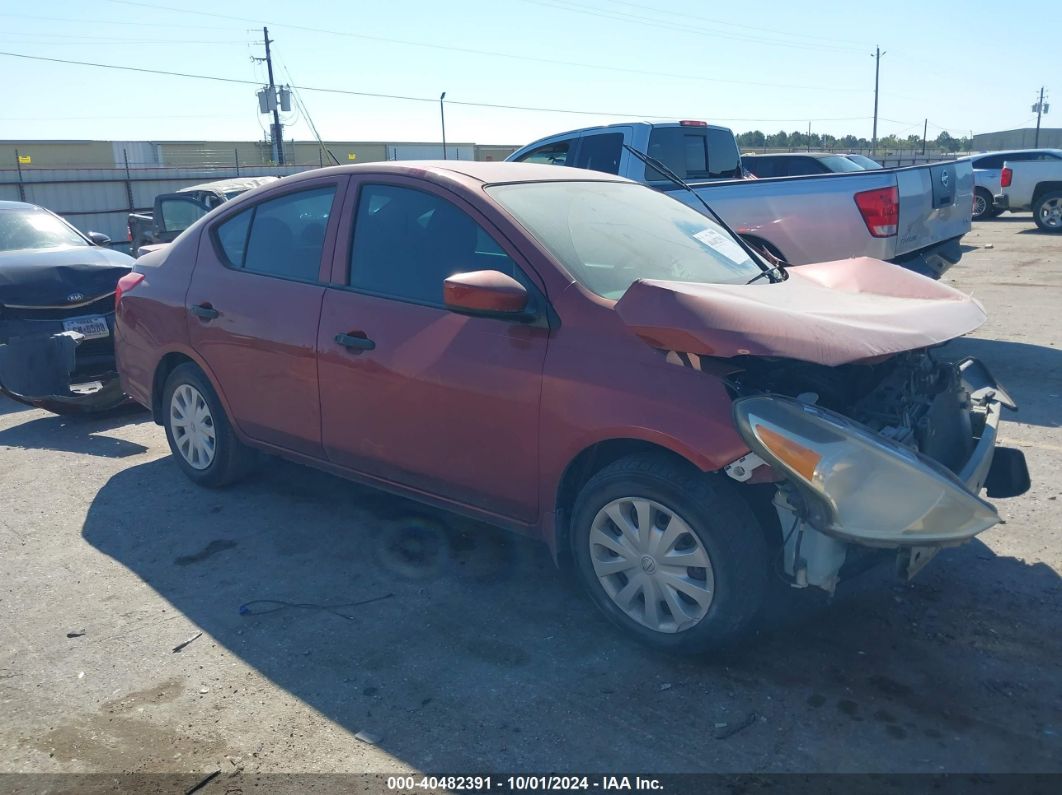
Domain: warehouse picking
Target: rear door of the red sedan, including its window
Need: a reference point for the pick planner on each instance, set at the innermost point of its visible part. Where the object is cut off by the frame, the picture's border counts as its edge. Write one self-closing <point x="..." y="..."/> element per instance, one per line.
<point x="254" y="306"/>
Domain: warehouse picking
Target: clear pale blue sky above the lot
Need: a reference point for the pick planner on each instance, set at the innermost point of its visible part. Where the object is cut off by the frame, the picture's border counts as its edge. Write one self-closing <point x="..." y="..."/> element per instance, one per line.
<point x="968" y="67"/>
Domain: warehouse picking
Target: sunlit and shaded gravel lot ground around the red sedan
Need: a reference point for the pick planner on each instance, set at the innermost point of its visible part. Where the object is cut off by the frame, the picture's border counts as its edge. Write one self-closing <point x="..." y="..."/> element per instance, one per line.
<point x="481" y="658"/>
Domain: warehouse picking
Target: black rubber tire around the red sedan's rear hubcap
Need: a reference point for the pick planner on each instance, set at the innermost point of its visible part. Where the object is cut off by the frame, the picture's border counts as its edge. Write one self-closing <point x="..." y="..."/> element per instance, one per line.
<point x="232" y="459"/>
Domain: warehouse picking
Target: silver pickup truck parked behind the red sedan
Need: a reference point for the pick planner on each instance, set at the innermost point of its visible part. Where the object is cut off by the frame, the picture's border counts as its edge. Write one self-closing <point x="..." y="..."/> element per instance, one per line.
<point x="913" y="216"/>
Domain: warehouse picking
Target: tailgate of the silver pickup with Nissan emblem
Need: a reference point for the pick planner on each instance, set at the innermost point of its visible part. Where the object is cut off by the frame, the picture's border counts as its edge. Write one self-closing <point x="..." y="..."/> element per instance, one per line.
<point x="936" y="204"/>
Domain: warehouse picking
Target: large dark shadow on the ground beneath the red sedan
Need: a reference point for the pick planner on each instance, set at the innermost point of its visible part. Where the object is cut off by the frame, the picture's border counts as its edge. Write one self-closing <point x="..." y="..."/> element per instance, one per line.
<point x="477" y="654"/>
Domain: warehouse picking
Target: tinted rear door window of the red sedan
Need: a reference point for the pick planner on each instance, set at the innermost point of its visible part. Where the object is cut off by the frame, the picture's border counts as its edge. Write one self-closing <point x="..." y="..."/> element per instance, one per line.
<point x="282" y="237"/>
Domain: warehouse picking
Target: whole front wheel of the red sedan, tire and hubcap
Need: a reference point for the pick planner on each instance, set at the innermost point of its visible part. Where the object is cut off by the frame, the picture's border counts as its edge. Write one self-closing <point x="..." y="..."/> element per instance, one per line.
<point x="673" y="556"/>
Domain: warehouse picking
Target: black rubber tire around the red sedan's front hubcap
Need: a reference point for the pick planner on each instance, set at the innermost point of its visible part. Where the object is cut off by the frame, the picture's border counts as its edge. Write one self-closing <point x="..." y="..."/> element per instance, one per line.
<point x="724" y="524"/>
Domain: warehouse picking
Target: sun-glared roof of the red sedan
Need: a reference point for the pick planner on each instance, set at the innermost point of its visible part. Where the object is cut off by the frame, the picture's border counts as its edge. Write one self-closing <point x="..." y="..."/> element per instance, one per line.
<point x="487" y="172"/>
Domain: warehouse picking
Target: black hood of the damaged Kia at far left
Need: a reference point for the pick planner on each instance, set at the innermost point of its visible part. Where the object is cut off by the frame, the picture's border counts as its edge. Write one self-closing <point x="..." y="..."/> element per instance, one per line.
<point x="47" y="278"/>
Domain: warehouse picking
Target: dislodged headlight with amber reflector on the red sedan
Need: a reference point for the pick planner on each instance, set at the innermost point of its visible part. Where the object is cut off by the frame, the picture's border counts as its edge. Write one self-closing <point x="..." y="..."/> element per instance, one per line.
<point x="863" y="487"/>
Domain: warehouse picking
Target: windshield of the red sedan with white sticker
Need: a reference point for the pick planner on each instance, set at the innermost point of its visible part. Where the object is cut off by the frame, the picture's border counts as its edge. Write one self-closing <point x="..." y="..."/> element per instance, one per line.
<point x="610" y="235"/>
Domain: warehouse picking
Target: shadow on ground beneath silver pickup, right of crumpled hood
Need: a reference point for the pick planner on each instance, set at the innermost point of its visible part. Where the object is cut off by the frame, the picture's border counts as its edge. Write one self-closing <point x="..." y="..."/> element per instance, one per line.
<point x="1032" y="374"/>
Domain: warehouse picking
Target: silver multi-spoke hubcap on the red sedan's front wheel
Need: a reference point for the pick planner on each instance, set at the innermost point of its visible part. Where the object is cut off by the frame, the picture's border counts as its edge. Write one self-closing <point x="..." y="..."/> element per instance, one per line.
<point x="652" y="564"/>
